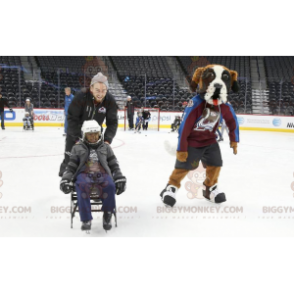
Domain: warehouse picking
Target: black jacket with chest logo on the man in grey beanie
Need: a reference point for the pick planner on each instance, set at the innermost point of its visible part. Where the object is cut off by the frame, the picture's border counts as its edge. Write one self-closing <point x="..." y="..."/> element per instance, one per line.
<point x="83" y="108"/>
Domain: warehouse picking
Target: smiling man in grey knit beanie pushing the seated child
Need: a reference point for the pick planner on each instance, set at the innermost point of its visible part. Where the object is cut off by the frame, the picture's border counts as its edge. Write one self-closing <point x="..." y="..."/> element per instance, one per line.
<point x="94" y="104"/>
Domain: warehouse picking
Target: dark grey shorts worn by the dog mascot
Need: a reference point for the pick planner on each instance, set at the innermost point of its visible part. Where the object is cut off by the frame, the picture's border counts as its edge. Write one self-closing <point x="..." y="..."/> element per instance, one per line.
<point x="209" y="155"/>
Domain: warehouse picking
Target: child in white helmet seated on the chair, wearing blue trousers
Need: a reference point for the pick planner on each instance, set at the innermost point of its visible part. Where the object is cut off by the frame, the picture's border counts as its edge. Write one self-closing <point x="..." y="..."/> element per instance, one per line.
<point x="93" y="168"/>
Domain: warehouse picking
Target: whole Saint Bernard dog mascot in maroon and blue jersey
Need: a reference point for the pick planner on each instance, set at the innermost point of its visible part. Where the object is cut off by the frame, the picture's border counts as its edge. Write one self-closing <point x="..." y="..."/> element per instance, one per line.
<point x="197" y="139"/>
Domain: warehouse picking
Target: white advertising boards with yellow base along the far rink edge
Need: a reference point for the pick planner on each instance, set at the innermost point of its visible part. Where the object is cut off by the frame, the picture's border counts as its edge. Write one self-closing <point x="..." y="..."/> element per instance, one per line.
<point x="55" y="118"/>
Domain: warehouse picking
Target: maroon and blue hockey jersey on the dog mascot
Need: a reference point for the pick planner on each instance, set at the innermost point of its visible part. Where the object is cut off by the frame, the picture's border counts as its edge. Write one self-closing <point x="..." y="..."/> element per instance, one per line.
<point x="198" y="130"/>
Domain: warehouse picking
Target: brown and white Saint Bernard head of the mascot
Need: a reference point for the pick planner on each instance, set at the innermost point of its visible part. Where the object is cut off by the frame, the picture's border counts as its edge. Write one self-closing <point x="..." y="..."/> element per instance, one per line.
<point x="215" y="82"/>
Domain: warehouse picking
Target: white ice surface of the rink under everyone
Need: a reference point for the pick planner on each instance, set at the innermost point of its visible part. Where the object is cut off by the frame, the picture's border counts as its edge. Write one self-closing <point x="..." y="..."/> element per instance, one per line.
<point x="258" y="183"/>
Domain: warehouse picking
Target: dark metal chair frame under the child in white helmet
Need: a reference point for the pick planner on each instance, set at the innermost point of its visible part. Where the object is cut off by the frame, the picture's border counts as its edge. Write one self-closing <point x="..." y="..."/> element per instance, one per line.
<point x="95" y="201"/>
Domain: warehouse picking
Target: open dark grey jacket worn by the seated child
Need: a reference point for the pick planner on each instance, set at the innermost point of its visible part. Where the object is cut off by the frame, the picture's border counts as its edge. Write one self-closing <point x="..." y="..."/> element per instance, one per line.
<point x="80" y="155"/>
